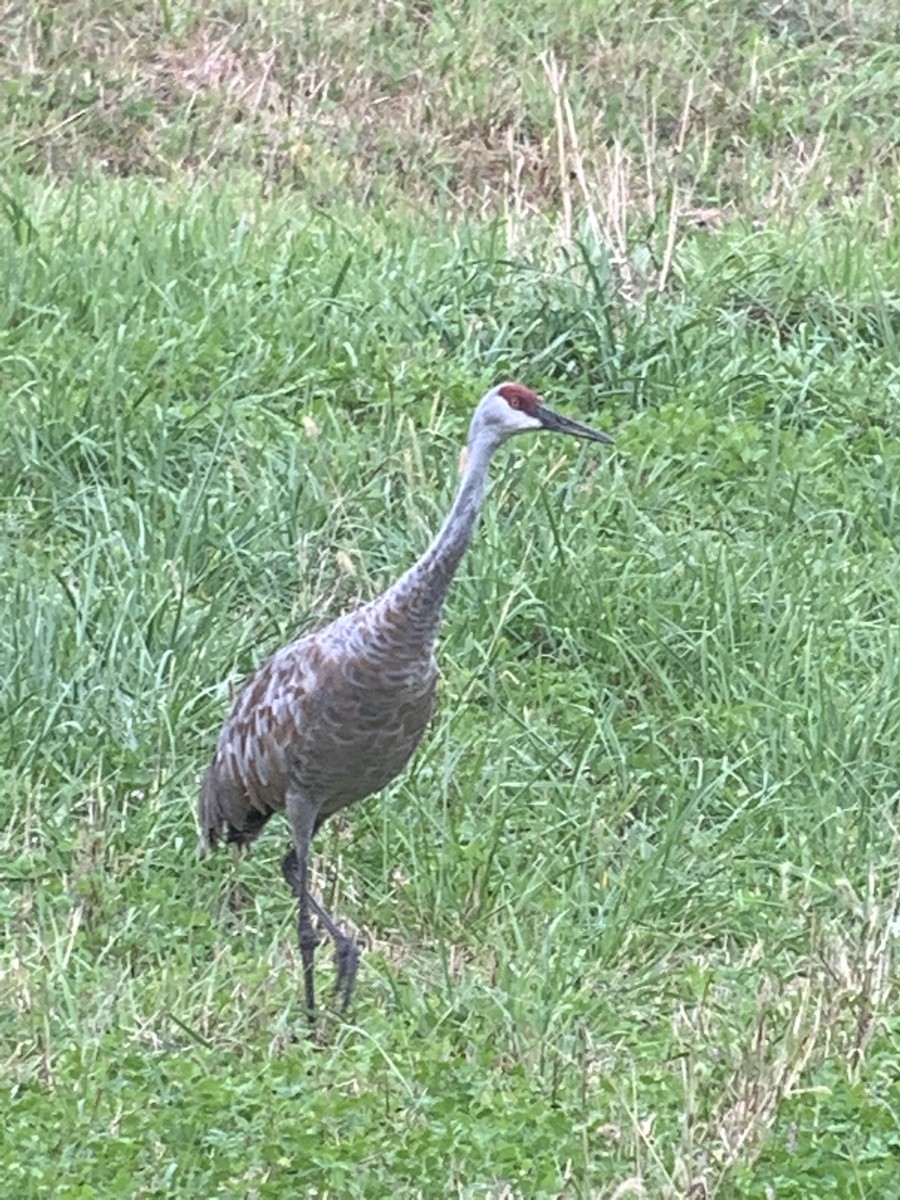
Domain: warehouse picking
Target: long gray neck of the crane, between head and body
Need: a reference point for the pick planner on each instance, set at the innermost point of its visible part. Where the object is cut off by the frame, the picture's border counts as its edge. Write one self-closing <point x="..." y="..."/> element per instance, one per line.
<point x="419" y="595"/>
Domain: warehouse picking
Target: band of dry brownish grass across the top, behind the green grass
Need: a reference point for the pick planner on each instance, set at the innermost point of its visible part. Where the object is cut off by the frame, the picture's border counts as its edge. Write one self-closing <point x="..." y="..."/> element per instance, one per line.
<point x="622" y="124"/>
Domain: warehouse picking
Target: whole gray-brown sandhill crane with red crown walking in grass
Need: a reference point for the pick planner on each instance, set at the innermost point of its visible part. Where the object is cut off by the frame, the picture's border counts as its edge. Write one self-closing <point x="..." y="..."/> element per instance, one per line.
<point x="337" y="715"/>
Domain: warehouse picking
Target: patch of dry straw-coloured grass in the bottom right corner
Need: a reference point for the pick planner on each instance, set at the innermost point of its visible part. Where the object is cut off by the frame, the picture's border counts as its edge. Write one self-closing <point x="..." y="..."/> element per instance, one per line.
<point x="825" y="1011"/>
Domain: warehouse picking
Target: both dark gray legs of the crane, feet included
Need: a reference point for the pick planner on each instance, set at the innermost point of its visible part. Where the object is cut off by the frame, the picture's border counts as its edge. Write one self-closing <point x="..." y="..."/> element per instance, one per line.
<point x="296" y="871"/>
